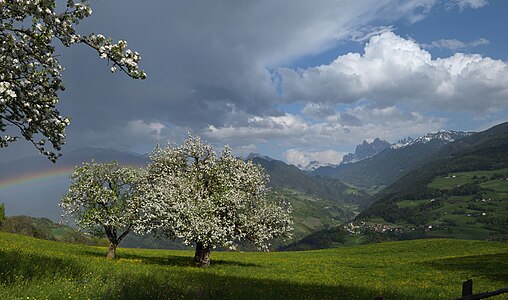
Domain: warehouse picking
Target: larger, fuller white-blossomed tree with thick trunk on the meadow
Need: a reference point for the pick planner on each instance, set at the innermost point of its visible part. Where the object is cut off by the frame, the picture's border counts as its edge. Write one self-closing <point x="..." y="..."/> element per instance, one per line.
<point x="207" y="200"/>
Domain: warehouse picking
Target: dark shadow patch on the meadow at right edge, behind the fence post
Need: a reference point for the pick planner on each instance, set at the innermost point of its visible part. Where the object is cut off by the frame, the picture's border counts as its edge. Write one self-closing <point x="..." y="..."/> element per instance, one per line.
<point x="492" y="266"/>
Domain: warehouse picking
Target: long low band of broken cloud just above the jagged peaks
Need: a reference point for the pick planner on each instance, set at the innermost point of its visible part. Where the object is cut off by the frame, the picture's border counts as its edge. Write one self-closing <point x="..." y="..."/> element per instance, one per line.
<point x="289" y="130"/>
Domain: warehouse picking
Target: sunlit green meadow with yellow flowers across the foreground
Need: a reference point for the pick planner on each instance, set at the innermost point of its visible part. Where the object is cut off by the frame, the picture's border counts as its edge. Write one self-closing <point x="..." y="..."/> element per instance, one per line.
<point x="420" y="269"/>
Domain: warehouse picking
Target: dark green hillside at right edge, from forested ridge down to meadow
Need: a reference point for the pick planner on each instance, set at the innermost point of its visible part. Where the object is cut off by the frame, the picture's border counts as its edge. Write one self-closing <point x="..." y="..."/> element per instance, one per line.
<point x="462" y="194"/>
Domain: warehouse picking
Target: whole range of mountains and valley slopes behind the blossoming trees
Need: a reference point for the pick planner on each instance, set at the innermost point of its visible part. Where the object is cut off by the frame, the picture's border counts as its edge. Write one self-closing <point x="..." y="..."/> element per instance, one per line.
<point x="443" y="179"/>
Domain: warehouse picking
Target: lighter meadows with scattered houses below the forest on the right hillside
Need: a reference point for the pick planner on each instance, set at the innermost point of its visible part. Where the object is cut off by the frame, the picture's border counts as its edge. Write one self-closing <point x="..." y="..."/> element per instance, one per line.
<point x="464" y="205"/>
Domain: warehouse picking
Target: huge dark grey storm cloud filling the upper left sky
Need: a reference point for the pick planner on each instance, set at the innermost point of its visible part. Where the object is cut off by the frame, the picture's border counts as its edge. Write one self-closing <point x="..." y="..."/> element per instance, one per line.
<point x="209" y="62"/>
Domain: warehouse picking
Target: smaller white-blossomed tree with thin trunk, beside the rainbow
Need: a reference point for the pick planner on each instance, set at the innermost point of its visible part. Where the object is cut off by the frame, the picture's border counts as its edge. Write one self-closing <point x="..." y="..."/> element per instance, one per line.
<point x="104" y="199"/>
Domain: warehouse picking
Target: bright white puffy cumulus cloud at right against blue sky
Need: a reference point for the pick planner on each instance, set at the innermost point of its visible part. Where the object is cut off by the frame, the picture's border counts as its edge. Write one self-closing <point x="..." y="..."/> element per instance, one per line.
<point x="397" y="71"/>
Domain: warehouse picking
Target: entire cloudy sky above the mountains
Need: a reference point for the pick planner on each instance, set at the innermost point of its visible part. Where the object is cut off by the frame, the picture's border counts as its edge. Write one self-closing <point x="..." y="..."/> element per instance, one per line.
<point x="295" y="80"/>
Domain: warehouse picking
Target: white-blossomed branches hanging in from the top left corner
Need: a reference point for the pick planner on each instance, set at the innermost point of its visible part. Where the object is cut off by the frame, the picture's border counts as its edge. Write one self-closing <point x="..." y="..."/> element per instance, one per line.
<point x="30" y="74"/>
